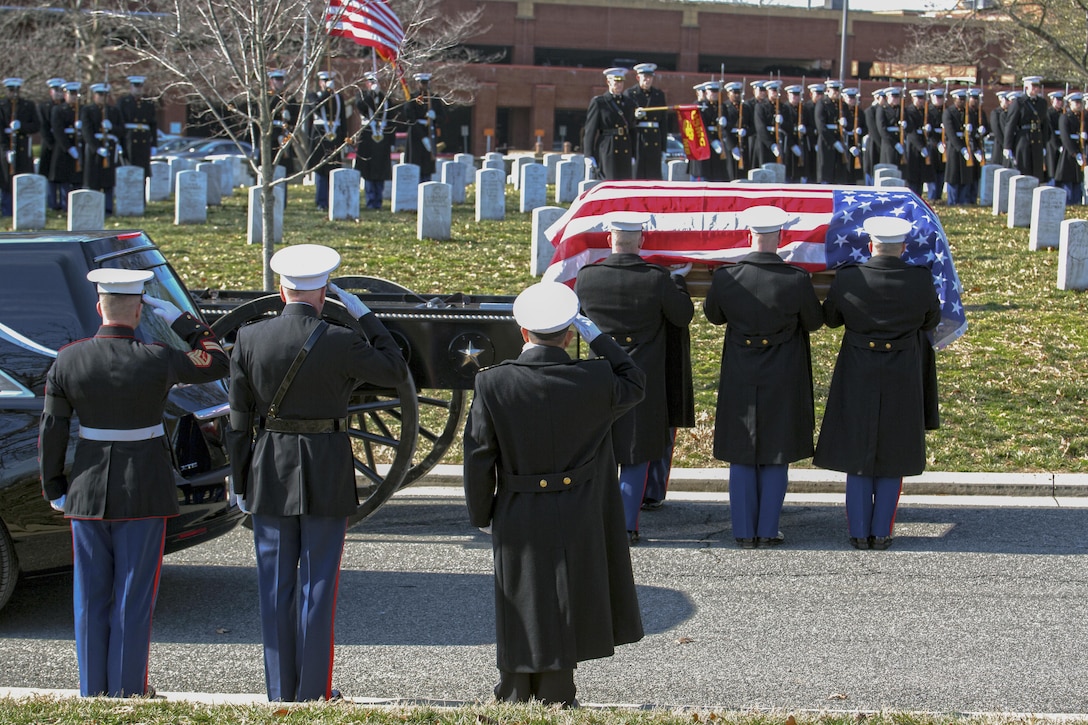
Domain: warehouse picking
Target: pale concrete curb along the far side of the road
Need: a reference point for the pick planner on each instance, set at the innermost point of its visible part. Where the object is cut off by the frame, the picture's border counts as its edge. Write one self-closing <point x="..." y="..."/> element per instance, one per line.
<point x="817" y="481"/>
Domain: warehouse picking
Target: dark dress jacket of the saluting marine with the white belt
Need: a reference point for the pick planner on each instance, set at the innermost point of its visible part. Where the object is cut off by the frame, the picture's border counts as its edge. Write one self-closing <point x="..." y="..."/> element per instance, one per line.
<point x="115" y="382"/>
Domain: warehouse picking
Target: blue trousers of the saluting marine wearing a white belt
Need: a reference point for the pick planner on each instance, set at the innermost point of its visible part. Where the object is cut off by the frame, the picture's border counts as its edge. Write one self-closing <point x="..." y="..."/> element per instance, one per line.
<point x="116" y="585"/>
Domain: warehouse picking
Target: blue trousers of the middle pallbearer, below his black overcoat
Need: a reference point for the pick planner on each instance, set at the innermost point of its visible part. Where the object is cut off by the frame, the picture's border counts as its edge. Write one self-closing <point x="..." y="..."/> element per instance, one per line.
<point x="756" y="499"/>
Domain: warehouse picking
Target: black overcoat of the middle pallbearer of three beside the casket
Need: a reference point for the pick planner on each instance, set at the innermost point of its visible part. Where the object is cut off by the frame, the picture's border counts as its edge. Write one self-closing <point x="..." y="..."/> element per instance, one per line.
<point x="765" y="391"/>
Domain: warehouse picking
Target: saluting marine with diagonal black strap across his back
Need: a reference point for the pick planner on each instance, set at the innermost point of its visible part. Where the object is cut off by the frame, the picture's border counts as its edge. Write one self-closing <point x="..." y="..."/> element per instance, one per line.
<point x="292" y="463"/>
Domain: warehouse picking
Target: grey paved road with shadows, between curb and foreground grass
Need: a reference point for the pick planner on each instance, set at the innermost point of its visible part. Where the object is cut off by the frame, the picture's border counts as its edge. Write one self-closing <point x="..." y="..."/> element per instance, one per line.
<point x="978" y="608"/>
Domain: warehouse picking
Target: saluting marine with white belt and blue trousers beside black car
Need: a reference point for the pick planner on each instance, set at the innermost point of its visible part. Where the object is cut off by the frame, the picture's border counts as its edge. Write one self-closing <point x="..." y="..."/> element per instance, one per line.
<point x="121" y="488"/>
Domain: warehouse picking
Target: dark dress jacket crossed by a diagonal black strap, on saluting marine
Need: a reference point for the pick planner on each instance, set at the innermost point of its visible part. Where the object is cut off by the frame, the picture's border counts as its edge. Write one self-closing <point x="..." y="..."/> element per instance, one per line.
<point x="294" y="474"/>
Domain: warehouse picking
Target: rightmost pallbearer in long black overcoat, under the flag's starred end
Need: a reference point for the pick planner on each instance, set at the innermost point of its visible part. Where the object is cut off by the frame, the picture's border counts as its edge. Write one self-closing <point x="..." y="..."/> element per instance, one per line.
<point x="884" y="390"/>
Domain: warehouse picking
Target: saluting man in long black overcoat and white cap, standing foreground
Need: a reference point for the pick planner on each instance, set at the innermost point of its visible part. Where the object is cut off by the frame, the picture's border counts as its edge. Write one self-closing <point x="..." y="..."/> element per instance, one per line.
<point x="540" y="473"/>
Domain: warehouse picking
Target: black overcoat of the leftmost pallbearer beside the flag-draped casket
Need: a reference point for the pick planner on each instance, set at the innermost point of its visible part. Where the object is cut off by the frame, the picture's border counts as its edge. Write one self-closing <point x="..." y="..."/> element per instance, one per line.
<point x="632" y="301"/>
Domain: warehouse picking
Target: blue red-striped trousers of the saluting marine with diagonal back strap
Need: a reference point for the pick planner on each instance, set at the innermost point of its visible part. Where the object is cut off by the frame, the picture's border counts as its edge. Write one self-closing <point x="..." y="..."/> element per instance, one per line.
<point x="298" y="575"/>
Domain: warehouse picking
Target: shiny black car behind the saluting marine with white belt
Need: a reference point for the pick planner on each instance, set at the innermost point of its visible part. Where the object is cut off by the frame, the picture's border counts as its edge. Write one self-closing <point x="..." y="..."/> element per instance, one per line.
<point x="46" y="303"/>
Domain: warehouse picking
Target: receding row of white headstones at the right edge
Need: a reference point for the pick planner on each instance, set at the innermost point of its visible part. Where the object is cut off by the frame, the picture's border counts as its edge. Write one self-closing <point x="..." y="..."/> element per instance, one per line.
<point x="1043" y="210"/>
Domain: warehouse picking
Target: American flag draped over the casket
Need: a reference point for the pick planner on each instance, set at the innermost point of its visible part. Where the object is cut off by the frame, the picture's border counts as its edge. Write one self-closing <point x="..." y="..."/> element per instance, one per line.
<point x="700" y="223"/>
